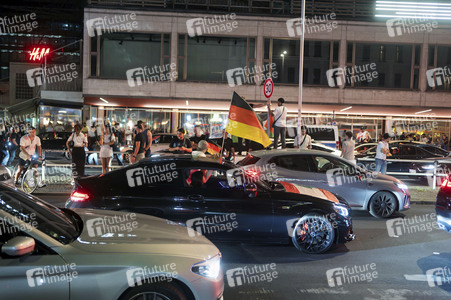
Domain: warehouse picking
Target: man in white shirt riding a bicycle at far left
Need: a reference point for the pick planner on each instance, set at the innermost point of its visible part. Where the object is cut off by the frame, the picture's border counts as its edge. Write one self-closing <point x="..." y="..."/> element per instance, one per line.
<point x="28" y="145"/>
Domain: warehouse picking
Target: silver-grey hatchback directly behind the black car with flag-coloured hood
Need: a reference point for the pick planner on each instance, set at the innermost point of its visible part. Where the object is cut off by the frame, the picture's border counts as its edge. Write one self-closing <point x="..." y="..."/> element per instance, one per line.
<point x="380" y="194"/>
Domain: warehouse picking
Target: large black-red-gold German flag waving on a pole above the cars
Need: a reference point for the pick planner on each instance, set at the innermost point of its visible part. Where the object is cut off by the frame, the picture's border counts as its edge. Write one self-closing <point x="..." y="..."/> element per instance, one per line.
<point x="243" y="122"/>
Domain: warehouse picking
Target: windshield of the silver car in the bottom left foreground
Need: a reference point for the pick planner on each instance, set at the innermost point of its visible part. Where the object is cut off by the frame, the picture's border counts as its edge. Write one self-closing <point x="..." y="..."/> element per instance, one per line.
<point x="61" y="225"/>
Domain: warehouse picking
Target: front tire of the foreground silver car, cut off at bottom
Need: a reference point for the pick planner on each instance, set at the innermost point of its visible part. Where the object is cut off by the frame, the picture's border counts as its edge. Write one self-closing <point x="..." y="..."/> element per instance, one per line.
<point x="158" y="291"/>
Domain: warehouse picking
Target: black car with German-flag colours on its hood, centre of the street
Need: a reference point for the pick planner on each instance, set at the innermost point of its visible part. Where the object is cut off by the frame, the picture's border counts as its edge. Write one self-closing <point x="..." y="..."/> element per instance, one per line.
<point x="220" y="201"/>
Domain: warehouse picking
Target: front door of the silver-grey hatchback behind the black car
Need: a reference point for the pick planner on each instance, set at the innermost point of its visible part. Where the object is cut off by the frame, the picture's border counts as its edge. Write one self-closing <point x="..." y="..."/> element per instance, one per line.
<point x="340" y="177"/>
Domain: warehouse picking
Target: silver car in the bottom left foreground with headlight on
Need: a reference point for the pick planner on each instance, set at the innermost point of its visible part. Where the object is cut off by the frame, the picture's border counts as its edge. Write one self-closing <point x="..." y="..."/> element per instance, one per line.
<point x="52" y="253"/>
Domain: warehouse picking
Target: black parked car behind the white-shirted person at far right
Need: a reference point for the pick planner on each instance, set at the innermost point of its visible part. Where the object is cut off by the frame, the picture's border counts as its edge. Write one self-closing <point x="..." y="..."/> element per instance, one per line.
<point x="408" y="157"/>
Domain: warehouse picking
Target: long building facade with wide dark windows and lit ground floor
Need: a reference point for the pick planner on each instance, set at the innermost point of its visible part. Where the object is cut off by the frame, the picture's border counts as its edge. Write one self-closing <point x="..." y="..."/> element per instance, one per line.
<point x="131" y="54"/>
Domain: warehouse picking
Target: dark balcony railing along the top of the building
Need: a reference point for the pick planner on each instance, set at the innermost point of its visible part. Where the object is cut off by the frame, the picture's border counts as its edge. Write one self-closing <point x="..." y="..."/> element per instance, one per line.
<point x="344" y="9"/>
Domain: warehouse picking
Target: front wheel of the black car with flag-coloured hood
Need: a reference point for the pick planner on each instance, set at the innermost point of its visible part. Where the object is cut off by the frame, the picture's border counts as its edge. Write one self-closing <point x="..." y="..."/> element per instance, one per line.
<point x="313" y="233"/>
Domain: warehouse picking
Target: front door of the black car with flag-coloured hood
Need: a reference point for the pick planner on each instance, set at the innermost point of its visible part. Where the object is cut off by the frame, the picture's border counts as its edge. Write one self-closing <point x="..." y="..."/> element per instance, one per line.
<point x="231" y="213"/>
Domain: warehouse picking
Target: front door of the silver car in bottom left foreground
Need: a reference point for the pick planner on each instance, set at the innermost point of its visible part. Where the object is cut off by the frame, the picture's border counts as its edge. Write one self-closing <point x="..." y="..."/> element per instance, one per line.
<point x="30" y="276"/>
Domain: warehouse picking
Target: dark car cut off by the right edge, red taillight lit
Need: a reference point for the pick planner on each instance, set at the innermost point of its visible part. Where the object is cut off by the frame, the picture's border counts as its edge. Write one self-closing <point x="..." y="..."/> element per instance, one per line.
<point x="443" y="205"/>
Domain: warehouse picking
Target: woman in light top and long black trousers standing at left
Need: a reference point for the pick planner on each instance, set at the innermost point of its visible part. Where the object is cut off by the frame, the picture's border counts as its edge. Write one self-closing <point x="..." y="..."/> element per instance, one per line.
<point x="78" y="151"/>
